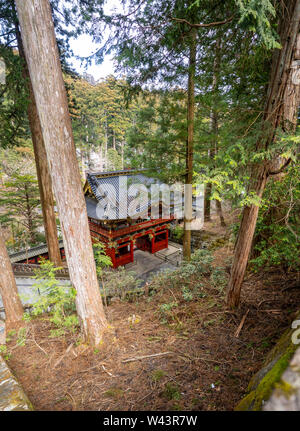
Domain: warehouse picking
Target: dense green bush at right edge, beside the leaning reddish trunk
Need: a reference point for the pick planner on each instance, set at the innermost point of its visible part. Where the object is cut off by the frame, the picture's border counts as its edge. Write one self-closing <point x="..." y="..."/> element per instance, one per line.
<point x="276" y="241"/>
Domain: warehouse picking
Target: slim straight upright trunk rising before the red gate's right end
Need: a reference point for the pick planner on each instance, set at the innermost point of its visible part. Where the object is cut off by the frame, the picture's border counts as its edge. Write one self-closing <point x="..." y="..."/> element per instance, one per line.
<point x="190" y="147"/>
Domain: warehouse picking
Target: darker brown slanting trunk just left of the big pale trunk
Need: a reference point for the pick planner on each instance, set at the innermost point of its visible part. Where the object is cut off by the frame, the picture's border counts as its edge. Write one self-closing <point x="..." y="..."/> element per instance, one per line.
<point x="42" y="169"/>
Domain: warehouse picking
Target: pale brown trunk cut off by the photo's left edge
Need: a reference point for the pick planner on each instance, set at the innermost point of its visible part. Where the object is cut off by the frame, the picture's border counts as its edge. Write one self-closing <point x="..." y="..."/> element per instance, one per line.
<point x="8" y="288"/>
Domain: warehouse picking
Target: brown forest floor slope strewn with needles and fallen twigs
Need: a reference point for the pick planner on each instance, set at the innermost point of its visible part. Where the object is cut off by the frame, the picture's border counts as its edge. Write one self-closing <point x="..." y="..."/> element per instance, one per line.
<point x="205" y="358"/>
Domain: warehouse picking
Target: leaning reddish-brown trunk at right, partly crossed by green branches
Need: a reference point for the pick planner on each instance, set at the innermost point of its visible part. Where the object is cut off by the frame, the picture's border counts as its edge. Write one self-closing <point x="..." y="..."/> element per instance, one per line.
<point x="280" y="111"/>
